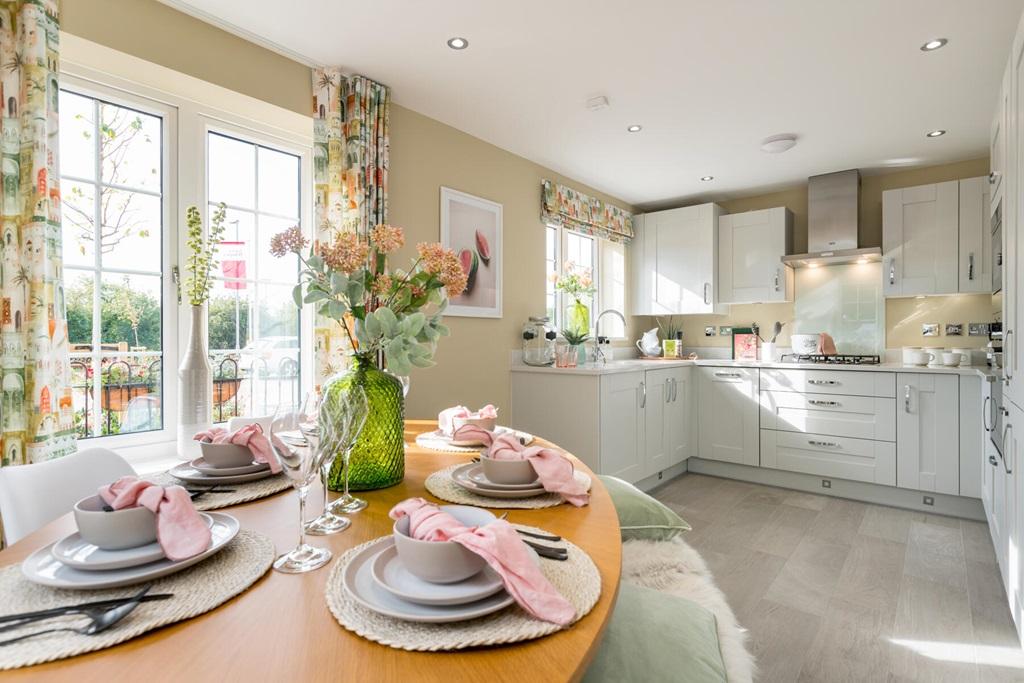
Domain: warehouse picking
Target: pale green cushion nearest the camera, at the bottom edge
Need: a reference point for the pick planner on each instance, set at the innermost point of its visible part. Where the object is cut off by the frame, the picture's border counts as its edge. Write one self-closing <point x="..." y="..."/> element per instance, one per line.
<point x="655" y="637"/>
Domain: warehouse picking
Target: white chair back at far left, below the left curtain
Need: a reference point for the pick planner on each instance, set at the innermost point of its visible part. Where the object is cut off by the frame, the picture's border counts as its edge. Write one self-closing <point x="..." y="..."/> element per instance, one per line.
<point x="32" y="496"/>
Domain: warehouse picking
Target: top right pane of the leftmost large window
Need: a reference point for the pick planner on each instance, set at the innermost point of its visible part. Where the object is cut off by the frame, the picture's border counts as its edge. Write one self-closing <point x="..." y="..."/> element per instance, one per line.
<point x="131" y="148"/>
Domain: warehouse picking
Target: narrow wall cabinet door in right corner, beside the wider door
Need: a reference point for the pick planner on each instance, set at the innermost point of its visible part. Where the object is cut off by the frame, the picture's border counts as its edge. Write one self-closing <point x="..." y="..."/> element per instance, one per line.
<point x="975" y="254"/>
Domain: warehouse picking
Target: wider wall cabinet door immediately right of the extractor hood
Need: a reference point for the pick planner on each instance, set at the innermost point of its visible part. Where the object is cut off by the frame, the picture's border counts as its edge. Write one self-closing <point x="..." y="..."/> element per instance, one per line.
<point x="920" y="234"/>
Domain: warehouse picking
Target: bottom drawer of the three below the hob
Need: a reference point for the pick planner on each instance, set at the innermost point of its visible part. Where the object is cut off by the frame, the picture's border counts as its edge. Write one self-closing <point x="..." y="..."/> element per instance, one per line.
<point x="840" y="457"/>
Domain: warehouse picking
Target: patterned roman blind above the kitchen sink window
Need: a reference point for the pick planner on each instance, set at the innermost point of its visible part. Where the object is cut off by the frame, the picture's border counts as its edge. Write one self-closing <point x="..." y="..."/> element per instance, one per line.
<point x="565" y="206"/>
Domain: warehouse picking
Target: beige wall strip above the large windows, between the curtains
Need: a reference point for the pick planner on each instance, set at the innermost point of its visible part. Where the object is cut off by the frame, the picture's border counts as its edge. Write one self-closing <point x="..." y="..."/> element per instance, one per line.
<point x="157" y="33"/>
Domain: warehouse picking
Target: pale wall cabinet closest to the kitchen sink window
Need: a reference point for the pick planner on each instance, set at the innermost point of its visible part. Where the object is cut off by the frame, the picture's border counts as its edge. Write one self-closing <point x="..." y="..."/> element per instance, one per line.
<point x="675" y="258"/>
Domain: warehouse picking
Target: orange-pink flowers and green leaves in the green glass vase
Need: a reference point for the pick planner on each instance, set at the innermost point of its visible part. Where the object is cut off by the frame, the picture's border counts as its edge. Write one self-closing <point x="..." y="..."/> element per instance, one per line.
<point x="380" y="309"/>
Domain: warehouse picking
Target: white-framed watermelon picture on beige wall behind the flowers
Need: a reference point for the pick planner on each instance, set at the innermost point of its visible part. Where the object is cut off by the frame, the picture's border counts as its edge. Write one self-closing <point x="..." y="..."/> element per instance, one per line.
<point x="473" y="228"/>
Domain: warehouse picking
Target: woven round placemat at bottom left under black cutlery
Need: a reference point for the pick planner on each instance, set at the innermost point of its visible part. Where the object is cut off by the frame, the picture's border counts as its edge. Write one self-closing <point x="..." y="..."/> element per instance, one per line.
<point x="198" y="589"/>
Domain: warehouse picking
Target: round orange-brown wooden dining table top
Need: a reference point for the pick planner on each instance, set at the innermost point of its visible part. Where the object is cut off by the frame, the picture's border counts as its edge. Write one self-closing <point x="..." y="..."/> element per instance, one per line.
<point x="281" y="628"/>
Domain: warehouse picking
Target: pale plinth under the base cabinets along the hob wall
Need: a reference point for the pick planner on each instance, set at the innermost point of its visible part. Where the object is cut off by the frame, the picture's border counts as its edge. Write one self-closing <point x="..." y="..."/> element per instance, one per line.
<point x="954" y="506"/>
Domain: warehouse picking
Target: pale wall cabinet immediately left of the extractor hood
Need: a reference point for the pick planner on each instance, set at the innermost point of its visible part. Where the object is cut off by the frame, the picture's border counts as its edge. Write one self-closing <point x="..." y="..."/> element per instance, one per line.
<point x="751" y="247"/>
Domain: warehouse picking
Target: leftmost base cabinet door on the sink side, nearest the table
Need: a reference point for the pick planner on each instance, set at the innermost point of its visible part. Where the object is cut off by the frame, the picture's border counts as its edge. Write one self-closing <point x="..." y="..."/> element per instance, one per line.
<point x="623" y="403"/>
